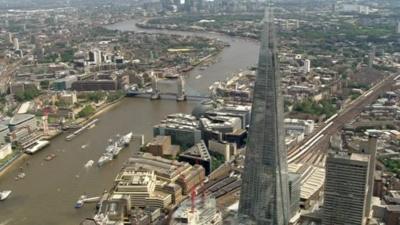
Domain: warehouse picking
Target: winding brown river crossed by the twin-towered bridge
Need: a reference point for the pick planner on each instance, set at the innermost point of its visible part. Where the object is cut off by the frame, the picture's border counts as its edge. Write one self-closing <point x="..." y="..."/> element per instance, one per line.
<point x="49" y="191"/>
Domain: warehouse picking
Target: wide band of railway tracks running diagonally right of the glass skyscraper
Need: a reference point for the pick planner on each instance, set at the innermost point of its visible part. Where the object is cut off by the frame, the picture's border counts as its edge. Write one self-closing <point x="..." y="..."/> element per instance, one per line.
<point x="312" y="150"/>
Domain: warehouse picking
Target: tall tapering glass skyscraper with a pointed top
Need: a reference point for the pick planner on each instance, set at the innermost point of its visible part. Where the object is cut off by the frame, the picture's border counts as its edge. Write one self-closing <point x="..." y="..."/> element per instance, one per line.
<point x="264" y="198"/>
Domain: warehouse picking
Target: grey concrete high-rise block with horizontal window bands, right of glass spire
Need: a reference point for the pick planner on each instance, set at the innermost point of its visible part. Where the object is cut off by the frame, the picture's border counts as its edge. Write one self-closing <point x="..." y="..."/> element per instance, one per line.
<point x="346" y="189"/>
